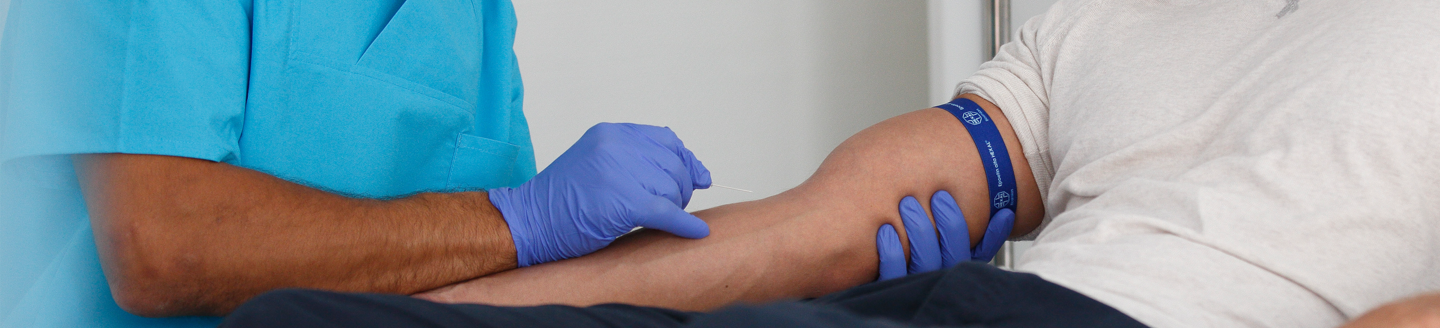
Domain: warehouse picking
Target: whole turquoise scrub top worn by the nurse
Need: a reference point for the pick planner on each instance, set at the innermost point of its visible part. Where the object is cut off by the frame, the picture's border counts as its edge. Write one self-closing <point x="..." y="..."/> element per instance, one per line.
<point x="371" y="99"/>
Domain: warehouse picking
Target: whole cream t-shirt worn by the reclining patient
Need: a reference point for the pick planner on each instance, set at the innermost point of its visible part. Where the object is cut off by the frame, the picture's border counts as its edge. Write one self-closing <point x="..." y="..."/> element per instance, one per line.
<point x="1230" y="163"/>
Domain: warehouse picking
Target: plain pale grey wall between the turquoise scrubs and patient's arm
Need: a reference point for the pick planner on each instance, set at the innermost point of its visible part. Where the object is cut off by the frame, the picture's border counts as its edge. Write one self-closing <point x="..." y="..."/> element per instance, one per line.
<point x="761" y="90"/>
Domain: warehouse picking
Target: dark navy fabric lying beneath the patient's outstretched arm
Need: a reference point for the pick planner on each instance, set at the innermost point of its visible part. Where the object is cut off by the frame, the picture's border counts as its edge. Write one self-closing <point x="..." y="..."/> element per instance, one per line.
<point x="968" y="296"/>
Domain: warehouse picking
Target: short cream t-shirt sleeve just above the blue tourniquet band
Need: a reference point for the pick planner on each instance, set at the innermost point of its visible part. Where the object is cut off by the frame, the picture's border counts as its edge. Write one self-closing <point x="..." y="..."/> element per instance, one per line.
<point x="1016" y="81"/>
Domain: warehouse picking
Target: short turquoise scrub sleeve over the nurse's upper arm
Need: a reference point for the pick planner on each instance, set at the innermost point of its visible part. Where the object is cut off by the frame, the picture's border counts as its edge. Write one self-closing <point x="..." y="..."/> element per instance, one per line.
<point x="163" y="78"/>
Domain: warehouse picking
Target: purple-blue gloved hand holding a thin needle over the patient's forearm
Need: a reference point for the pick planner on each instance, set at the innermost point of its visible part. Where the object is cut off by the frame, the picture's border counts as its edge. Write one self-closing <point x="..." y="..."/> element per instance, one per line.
<point x="616" y="179"/>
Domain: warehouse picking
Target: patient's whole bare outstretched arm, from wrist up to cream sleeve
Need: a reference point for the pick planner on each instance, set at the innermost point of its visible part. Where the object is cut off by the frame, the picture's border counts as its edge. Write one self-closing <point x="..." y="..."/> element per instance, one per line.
<point x="814" y="240"/>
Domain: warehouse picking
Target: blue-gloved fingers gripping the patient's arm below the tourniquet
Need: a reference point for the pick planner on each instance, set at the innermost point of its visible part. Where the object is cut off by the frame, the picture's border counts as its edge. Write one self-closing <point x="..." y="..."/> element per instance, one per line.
<point x="931" y="252"/>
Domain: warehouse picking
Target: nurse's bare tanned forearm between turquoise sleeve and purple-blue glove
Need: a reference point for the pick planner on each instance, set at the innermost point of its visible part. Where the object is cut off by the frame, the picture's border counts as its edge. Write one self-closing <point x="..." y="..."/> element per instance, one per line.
<point x="182" y="237"/>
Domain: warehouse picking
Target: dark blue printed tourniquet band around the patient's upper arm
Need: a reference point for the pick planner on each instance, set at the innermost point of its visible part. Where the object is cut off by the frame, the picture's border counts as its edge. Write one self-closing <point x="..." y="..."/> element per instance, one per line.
<point x="994" y="156"/>
